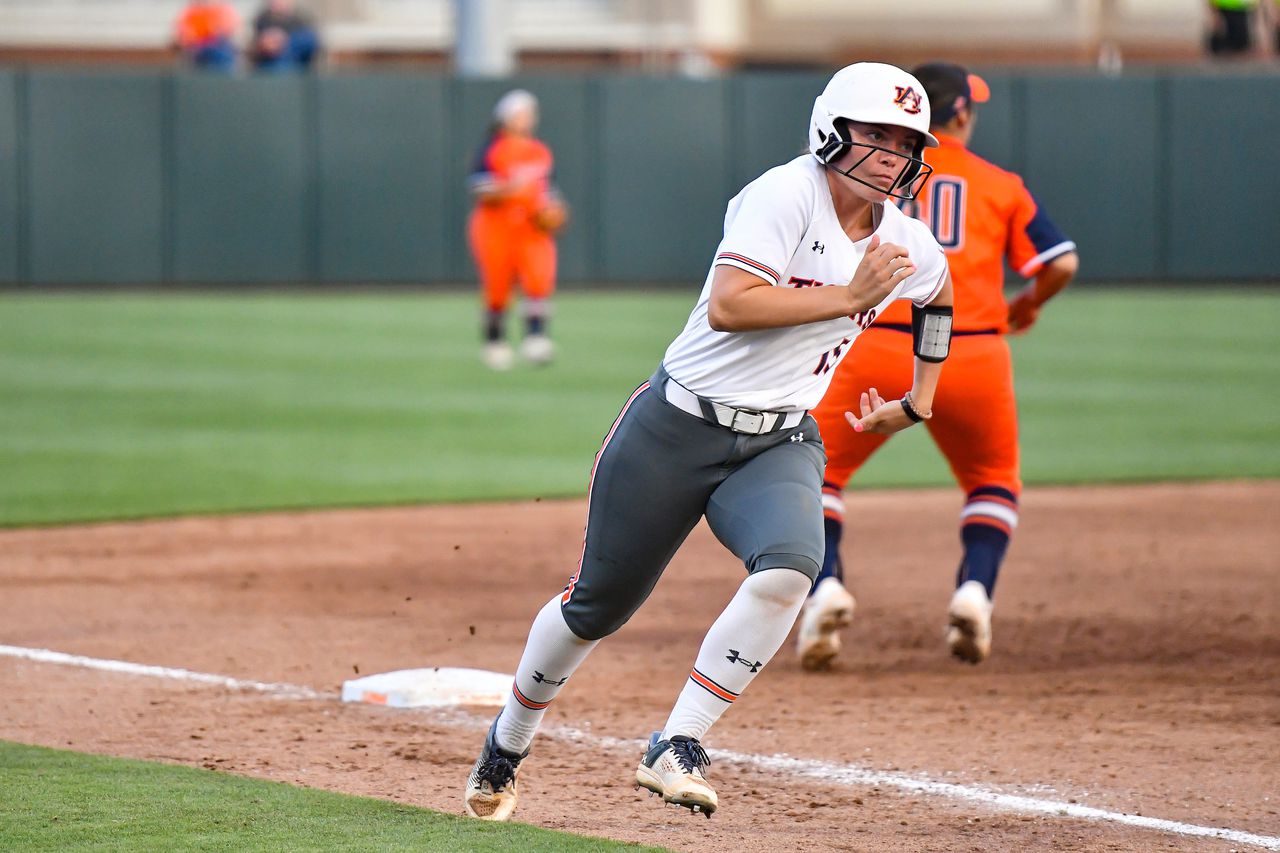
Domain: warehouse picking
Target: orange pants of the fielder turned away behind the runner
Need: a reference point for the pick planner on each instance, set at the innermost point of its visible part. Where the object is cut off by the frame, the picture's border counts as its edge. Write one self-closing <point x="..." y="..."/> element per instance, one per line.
<point x="975" y="413"/>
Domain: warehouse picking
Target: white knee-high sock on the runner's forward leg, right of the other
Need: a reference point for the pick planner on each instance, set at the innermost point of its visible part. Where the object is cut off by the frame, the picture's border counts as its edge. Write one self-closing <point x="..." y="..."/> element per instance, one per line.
<point x="739" y="645"/>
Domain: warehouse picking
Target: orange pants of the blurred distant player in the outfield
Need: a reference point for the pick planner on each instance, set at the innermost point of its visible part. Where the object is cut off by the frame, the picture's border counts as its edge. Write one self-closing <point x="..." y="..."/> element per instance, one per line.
<point x="506" y="252"/>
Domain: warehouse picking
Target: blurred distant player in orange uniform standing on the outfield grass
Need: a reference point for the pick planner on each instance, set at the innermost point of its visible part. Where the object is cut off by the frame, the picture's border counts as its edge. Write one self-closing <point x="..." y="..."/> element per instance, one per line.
<point x="513" y="229"/>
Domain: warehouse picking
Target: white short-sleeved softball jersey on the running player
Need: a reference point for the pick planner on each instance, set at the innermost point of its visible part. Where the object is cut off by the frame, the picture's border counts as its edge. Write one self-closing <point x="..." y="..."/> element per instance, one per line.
<point x="783" y="227"/>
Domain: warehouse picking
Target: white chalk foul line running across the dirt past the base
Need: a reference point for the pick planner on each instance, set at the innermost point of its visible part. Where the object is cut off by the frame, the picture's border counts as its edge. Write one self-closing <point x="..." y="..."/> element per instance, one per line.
<point x="816" y="770"/>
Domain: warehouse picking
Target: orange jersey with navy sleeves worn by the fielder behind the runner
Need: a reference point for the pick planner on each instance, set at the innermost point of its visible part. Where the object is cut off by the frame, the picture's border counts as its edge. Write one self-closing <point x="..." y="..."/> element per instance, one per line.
<point x="982" y="217"/>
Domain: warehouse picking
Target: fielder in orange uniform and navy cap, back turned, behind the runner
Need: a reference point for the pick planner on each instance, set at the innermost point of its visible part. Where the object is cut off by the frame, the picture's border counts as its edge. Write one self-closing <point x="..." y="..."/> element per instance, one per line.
<point x="982" y="217"/>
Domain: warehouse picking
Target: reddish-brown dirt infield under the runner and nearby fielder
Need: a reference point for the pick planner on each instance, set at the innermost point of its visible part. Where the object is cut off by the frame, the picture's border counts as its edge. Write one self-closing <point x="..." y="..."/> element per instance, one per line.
<point x="1136" y="667"/>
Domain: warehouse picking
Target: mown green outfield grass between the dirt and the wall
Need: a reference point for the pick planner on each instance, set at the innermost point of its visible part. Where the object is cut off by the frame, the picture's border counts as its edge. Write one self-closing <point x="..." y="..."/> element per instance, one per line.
<point x="141" y="405"/>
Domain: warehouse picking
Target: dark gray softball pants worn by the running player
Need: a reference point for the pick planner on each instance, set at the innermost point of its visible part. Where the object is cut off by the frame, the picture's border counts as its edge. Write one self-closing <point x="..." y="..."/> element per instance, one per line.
<point x="659" y="472"/>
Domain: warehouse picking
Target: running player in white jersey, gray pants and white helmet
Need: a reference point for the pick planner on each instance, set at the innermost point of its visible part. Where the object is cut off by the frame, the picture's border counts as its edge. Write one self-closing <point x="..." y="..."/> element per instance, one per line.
<point x="811" y="256"/>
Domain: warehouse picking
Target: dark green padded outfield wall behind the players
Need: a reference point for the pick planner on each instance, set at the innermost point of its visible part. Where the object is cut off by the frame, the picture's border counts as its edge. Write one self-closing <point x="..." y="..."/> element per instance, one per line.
<point x="153" y="179"/>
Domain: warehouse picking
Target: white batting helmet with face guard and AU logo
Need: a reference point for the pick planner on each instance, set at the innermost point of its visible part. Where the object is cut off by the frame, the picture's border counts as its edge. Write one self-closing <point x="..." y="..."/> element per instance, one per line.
<point x="876" y="94"/>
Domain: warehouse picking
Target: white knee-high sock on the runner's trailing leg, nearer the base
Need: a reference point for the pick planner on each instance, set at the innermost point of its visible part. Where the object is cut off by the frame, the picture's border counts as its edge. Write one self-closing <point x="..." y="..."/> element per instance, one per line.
<point x="551" y="656"/>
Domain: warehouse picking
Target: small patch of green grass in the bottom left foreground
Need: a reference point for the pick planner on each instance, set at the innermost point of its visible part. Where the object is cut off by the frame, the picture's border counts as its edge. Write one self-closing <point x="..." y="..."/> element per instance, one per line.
<point x="65" y="801"/>
